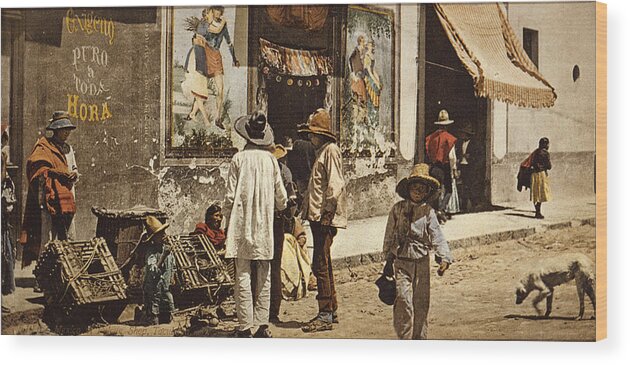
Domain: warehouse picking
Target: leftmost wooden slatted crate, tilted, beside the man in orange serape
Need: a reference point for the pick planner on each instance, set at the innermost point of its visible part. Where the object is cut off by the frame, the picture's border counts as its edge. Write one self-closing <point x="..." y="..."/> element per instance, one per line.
<point x="78" y="273"/>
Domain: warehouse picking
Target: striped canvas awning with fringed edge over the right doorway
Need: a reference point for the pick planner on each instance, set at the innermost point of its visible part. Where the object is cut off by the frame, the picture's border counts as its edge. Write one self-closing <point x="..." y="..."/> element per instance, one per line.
<point x="487" y="46"/>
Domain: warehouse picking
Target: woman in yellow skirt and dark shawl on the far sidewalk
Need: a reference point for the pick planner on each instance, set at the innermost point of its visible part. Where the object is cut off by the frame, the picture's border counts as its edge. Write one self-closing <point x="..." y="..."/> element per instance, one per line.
<point x="540" y="163"/>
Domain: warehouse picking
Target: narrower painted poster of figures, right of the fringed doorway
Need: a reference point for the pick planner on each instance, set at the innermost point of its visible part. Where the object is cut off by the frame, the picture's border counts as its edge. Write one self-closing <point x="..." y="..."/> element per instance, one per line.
<point x="367" y="114"/>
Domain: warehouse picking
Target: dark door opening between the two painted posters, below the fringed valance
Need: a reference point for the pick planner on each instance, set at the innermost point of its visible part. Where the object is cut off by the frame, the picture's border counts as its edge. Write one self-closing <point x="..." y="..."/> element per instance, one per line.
<point x="290" y="101"/>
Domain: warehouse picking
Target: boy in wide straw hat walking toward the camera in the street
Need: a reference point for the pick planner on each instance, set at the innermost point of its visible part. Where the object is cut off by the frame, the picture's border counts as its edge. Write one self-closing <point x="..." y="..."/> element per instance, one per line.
<point x="412" y="231"/>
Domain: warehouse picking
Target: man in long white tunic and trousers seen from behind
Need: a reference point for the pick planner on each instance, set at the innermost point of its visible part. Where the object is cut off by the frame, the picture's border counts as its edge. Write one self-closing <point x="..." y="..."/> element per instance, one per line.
<point x="254" y="190"/>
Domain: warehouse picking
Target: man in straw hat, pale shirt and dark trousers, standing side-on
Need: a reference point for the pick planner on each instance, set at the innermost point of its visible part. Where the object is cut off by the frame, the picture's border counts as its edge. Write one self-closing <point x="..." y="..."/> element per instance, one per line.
<point x="325" y="208"/>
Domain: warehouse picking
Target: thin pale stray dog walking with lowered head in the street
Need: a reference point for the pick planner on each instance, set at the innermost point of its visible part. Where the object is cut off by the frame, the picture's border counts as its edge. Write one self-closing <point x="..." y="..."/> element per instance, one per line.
<point x="556" y="271"/>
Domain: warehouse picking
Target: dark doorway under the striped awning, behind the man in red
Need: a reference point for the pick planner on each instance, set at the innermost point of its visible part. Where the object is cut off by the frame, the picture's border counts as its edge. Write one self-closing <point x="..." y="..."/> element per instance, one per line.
<point x="449" y="86"/>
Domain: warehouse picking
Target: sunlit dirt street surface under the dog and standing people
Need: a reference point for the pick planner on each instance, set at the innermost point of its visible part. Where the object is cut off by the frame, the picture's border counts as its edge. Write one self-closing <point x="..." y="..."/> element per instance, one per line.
<point x="473" y="300"/>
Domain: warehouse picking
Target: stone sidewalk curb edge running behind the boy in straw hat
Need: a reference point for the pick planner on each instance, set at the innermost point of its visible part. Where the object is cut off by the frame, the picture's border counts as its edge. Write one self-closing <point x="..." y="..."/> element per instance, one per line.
<point x="485" y="239"/>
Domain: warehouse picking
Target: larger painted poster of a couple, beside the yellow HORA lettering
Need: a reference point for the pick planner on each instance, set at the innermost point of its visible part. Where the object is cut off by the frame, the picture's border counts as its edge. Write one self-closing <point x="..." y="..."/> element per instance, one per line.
<point x="207" y="83"/>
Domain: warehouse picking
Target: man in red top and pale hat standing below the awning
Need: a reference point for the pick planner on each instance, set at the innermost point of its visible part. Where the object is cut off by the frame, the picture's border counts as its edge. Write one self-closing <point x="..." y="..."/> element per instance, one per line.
<point x="440" y="153"/>
